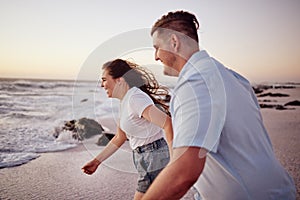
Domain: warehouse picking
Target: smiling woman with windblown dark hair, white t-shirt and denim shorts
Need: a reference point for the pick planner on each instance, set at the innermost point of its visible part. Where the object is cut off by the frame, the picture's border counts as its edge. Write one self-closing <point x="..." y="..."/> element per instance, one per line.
<point x="143" y="120"/>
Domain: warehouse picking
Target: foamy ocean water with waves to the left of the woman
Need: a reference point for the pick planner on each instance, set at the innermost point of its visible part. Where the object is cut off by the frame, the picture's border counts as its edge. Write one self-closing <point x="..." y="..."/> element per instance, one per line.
<point x="31" y="111"/>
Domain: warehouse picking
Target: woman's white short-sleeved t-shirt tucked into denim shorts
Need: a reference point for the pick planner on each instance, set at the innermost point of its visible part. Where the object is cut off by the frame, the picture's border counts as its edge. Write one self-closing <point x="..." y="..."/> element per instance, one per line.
<point x="139" y="131"/>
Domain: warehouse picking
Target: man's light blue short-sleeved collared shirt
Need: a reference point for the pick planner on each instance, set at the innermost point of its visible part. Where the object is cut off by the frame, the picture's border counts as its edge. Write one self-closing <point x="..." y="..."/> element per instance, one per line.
<point x="216" y="109"/>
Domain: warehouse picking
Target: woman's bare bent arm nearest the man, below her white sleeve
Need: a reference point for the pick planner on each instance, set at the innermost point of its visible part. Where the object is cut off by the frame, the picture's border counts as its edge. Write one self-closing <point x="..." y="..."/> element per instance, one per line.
<point x="161" y="119"/>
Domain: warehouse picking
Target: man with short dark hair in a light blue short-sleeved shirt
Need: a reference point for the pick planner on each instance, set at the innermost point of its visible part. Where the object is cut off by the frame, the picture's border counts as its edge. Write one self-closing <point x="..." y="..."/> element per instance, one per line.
<point x="220" y="143"/>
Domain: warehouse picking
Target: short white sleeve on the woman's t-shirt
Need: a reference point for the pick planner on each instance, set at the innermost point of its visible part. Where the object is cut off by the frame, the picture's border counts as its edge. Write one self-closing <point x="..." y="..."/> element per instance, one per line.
<point x="139" y="102"/>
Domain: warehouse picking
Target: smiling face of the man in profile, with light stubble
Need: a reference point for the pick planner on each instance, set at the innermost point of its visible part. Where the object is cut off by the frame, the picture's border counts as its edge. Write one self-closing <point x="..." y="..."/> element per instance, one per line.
<point x="163" y="53"/>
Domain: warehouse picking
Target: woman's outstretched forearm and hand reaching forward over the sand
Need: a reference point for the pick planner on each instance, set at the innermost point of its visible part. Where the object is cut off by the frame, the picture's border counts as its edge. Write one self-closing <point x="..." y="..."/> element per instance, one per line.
<point x="110" y="148"/>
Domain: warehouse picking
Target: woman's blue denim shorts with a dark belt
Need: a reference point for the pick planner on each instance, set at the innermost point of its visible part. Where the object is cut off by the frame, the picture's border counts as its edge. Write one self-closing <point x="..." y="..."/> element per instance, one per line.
<point x="149" y="160"/>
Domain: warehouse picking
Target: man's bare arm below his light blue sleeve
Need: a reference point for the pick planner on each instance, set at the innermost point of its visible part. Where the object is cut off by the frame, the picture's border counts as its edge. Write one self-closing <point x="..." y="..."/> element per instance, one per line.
<point x="182" y="172"/>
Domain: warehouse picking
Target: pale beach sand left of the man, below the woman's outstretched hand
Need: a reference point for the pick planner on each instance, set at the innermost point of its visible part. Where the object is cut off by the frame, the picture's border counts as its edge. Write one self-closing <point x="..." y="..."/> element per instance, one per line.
<point x="58" y="175"/>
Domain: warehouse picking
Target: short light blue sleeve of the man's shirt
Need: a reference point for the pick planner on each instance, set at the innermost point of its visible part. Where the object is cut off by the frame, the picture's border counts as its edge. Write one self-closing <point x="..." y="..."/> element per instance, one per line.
<point x="199" y="109"/>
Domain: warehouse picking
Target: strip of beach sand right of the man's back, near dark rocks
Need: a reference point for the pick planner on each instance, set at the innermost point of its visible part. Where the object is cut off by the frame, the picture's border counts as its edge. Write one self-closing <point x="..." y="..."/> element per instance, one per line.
<point x="283" y="127"/>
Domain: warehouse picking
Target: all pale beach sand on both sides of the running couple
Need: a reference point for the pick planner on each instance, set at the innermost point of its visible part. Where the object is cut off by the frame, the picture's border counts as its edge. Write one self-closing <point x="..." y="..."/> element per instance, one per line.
<point x="58" y="175"/>
